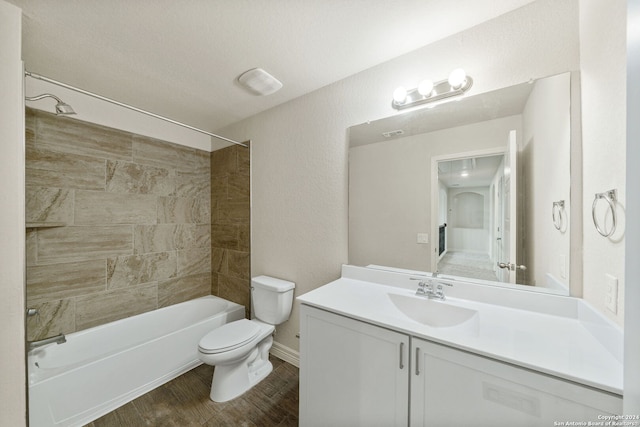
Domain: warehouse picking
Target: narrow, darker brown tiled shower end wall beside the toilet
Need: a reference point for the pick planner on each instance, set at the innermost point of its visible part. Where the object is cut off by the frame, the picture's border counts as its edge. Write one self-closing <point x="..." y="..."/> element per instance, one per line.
<point x="230" y="224"/>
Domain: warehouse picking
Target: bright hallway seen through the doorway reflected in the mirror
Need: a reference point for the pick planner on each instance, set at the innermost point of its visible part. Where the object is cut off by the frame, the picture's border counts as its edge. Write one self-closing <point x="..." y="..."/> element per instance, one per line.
<point x="471" y="217"/>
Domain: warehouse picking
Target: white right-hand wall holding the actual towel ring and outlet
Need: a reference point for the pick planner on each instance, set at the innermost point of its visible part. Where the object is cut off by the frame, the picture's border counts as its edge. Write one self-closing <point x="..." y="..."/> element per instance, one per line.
<point x="603" y="76"/>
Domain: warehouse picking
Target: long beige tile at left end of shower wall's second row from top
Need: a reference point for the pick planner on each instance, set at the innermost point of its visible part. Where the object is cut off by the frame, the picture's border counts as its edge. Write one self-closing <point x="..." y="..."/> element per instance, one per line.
<point x="45" y="168"/>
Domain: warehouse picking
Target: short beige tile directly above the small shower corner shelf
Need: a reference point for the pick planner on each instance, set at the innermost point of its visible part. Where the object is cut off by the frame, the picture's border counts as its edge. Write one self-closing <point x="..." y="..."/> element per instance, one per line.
<point x="49" y="205"/>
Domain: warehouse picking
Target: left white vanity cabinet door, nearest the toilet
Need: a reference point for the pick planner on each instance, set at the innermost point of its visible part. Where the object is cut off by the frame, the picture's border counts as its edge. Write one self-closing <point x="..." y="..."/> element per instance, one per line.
<point x="351" y="373"/>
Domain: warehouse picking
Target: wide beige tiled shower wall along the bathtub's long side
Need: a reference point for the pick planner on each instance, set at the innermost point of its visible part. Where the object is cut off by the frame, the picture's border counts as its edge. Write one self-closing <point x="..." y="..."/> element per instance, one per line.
<point x="132" y="224"/>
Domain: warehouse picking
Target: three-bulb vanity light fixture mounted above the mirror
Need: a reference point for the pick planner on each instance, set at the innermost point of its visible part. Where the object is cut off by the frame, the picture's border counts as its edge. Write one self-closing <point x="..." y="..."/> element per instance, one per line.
<point x="427" y="91"/>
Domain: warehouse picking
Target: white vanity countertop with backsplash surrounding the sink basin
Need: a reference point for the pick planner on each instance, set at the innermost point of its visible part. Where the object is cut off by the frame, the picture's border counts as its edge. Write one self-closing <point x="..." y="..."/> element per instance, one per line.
<point x="565" y="338"/>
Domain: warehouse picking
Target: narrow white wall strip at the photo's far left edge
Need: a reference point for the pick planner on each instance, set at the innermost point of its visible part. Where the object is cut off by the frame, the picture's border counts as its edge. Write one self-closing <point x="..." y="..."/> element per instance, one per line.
<point x="12" y="231"/>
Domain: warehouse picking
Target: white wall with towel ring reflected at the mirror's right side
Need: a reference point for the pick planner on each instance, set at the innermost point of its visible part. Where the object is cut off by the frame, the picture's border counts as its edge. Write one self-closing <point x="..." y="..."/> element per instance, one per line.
<point x="546" y="129"/>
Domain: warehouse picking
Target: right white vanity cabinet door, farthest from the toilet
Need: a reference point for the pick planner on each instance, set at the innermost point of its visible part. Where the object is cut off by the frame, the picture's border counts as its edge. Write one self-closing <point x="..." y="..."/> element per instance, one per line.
<point x="452" y="388"/>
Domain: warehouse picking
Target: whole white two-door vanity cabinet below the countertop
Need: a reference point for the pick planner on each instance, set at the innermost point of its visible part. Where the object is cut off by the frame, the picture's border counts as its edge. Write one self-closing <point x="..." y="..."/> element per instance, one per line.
<point x="356" y="374"/>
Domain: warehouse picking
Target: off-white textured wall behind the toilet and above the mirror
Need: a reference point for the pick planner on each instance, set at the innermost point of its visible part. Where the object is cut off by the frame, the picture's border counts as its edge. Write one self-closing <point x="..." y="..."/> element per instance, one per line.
<point x="299" y="149"/>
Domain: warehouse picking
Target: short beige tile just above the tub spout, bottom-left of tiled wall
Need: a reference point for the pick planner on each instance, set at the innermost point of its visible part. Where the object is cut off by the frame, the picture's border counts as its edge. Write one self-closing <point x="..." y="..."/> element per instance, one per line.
<point x="53" y="318"/>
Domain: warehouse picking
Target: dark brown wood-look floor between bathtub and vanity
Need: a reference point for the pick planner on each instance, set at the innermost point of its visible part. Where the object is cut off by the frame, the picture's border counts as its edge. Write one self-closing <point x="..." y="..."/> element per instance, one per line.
<point x="185" y="402"/>
